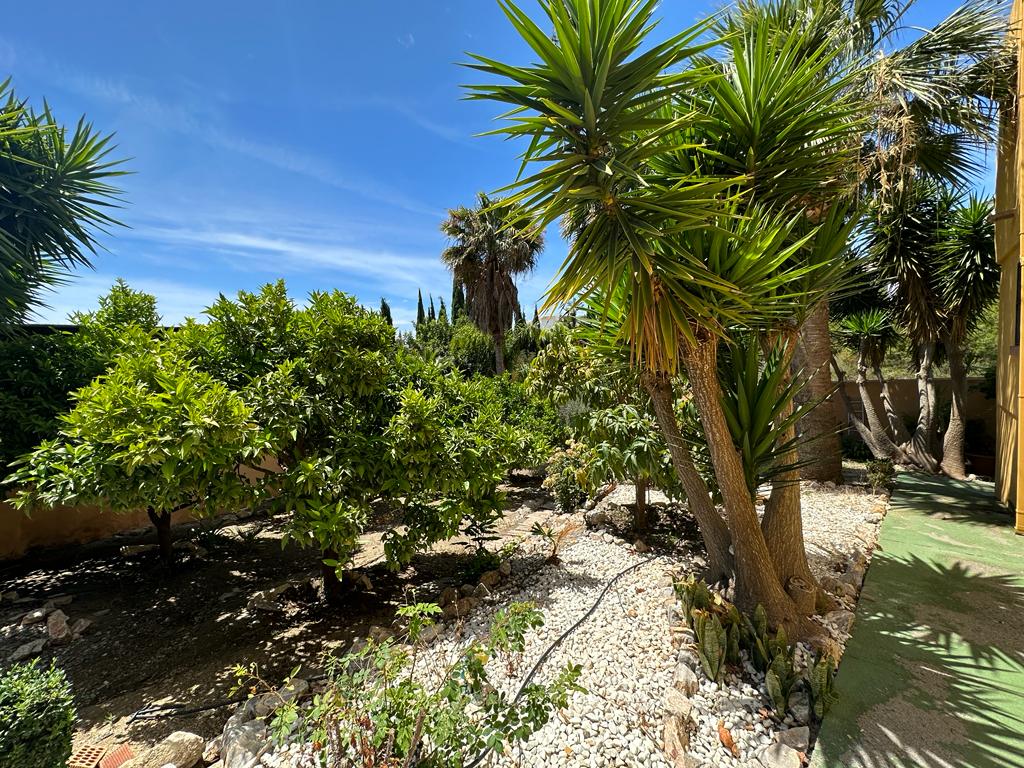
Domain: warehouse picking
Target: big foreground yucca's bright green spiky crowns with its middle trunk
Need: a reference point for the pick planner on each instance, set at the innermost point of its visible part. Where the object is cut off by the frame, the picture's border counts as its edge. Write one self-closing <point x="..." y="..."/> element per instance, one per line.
<point x="625" y="135"/>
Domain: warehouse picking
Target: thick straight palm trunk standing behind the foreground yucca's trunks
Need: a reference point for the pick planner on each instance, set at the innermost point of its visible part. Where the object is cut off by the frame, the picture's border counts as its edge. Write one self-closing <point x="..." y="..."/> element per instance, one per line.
<point x="819" y="425"/>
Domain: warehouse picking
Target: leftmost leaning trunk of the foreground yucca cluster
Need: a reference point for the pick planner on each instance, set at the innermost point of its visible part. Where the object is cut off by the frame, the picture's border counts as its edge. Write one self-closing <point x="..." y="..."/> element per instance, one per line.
<point x="713" y="529"/>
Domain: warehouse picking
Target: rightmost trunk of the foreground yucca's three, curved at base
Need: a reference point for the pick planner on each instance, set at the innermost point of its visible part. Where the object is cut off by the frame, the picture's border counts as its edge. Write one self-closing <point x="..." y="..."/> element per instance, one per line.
<point x="783" y="523"/>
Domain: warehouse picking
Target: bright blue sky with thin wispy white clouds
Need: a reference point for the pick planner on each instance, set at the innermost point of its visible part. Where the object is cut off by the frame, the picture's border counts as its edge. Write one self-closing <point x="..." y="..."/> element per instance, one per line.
<point x="321" y="143"/>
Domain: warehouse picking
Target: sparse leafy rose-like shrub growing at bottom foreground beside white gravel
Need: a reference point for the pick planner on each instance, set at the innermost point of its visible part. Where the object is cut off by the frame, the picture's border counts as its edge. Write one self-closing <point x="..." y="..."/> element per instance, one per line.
<point x="380" y="708"/>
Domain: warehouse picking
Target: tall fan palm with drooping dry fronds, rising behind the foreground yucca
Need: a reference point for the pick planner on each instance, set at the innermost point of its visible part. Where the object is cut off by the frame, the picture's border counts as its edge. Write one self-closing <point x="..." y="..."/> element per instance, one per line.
<point x="932" y="95"/>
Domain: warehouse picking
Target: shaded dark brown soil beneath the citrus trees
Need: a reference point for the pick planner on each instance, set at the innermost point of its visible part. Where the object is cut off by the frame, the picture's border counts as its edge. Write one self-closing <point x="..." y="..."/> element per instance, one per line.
<point x="173" y="636"/>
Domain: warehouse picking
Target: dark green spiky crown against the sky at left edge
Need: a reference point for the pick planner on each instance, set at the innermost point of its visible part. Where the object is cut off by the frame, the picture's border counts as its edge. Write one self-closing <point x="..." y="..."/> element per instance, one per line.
<point x="56" y="197"/>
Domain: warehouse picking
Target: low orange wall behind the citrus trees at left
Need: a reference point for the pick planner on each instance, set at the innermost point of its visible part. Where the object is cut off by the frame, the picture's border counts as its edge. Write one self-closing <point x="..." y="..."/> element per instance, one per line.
<point x="62" y="526"/>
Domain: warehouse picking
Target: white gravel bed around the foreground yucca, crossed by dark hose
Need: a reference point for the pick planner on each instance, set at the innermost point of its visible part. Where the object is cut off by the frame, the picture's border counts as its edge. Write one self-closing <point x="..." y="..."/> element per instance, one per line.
<point x="627" y="648"/>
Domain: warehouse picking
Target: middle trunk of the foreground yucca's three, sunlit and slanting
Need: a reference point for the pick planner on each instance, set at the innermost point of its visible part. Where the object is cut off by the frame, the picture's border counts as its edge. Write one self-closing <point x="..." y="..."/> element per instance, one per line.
<point x="757" y="583"/>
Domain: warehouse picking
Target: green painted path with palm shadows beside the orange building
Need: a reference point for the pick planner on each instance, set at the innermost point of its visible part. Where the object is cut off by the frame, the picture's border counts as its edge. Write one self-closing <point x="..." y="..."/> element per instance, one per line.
<point x="933" y="676"/>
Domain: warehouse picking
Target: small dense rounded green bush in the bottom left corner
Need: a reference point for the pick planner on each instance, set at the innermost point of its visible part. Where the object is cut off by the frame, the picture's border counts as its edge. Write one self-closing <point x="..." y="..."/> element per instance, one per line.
<point x="37" y="717"/>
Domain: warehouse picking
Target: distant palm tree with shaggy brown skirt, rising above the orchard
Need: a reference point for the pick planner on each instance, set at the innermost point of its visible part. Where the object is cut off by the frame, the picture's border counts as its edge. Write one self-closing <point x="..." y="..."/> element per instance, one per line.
<point x="490" y="245"/>
